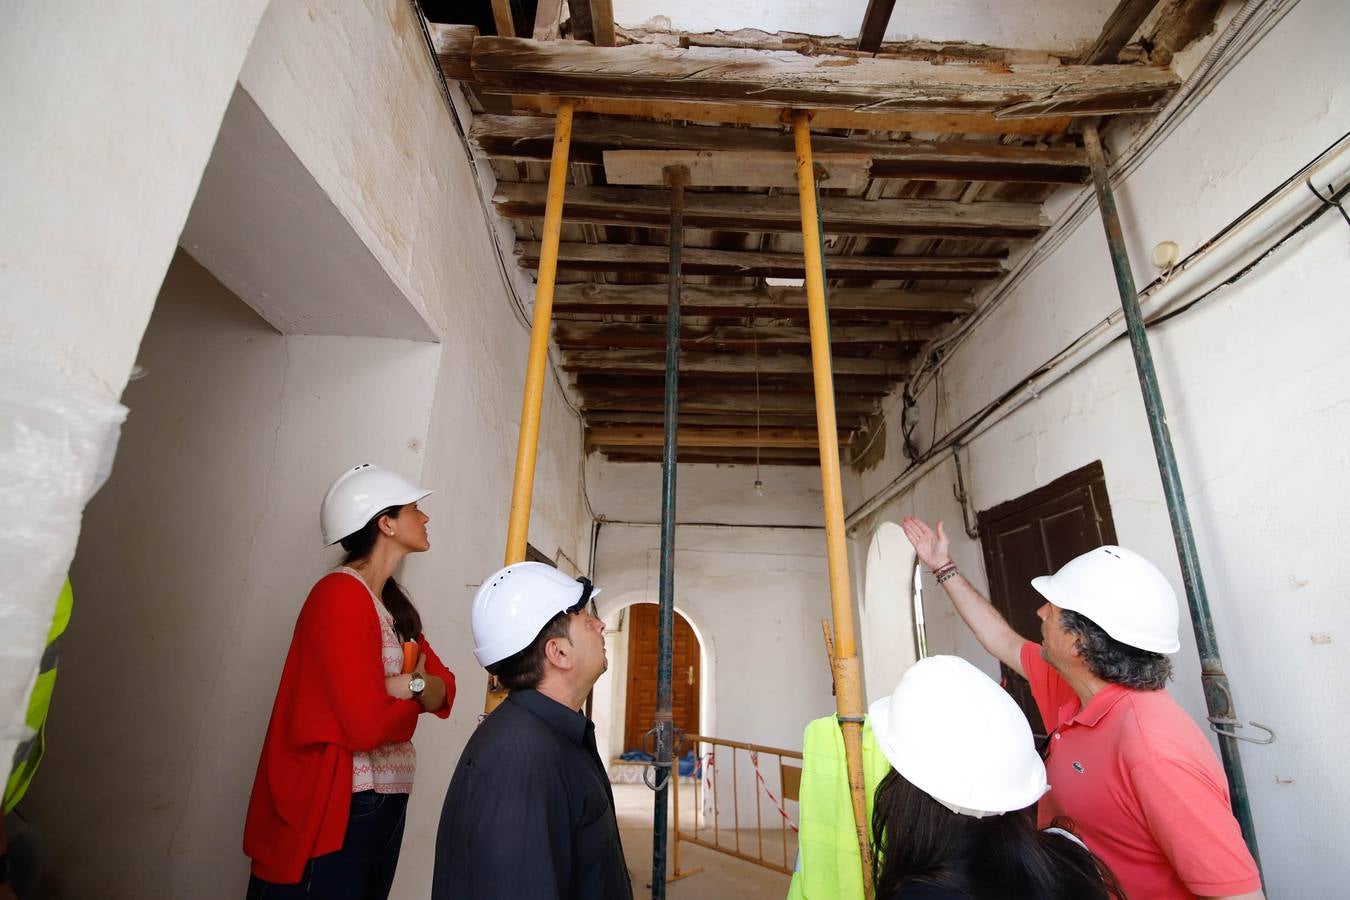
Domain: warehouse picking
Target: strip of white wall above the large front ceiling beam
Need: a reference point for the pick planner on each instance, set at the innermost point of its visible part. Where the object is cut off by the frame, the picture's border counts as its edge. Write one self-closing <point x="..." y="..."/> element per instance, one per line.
<point x="1009" y="24"/>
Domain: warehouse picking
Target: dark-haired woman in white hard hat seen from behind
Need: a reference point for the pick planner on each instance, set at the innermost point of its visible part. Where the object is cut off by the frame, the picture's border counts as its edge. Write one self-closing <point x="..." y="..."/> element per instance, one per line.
<point x="955" y="818"/>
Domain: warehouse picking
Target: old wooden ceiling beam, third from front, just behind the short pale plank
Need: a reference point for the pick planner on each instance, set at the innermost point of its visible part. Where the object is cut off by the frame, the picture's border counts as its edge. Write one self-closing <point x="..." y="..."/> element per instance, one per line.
<point x="738" y="211"/>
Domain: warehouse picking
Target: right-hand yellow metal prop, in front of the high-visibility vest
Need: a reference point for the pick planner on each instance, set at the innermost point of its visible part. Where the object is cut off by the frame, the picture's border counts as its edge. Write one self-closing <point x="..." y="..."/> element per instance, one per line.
<point x="848" y="683"/>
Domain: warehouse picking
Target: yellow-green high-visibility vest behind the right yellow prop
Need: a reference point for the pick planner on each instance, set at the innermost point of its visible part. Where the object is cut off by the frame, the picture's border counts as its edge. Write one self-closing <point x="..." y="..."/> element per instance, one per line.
<point x="830" y="866"/>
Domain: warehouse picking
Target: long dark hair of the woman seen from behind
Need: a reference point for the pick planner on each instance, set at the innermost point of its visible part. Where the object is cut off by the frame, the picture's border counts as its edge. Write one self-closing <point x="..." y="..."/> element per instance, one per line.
<point x="916" y="840"/>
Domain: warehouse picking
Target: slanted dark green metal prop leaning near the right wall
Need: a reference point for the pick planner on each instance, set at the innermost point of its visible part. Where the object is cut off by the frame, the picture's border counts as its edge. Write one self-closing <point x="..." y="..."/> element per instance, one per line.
<point x="1218" y="697"/>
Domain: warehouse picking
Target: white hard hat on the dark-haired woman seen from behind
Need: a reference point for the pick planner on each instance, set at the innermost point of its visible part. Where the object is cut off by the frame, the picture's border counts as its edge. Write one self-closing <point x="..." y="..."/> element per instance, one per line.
<point x="961" y="739"/>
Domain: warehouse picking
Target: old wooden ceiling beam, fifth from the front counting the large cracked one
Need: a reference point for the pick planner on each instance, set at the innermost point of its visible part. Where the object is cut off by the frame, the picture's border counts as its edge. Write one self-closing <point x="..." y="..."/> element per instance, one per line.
<point x="770" y="303"/>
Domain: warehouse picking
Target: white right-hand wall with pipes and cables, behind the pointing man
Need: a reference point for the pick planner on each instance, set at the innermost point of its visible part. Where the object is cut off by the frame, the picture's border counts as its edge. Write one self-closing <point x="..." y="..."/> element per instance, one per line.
<point x="1258" y="385"/>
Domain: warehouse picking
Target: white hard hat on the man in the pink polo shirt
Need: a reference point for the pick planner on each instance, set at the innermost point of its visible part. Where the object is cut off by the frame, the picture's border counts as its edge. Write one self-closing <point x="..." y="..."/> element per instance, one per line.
<point x="1123" y="593"/>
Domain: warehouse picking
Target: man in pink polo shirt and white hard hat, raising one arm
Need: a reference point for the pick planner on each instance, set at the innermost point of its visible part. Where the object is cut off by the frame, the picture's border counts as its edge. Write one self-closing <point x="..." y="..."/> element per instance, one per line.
<point x="1128" y="767"/>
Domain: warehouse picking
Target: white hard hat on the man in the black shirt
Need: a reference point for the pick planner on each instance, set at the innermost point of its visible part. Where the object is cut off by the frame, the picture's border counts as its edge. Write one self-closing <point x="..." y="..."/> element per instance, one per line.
<point x="516" y="604"/>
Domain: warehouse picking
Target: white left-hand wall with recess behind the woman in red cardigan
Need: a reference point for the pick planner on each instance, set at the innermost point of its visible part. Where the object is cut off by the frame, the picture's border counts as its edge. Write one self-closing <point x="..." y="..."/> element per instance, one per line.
<point x="165" y="817"/>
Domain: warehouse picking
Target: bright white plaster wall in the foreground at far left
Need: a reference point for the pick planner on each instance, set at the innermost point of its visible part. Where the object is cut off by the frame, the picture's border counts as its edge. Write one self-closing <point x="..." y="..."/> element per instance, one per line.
<point x="110" y="110"/>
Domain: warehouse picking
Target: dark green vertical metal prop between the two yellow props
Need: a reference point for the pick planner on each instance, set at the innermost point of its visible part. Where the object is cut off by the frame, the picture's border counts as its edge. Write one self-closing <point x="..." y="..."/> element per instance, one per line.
<point x="665" y="725"/>
